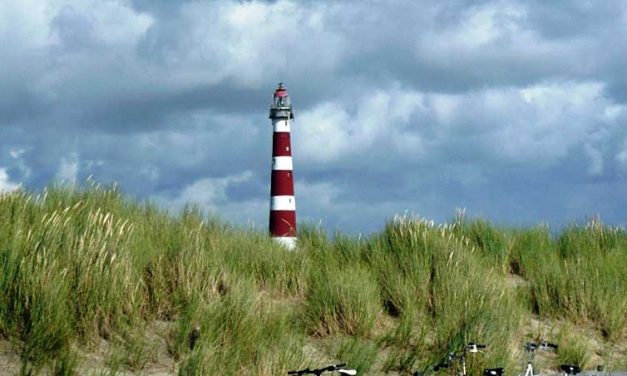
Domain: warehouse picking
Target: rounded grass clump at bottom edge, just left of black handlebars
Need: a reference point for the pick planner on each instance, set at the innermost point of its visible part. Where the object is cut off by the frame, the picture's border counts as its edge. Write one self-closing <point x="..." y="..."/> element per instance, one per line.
<point x="239" y="333"/>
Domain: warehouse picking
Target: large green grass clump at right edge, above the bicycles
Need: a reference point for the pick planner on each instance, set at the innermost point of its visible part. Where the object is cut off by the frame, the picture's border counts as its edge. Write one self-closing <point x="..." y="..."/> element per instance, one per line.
<point x="578" y="275"/>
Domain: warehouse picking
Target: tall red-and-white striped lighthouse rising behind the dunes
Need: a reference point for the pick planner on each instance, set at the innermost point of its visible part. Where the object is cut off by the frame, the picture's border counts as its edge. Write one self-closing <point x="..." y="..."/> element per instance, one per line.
<point x="282" y="201"/>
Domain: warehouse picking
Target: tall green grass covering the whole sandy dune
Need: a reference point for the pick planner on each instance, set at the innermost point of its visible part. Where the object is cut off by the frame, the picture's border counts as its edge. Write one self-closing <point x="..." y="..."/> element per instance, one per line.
<point x="78" y="266"/>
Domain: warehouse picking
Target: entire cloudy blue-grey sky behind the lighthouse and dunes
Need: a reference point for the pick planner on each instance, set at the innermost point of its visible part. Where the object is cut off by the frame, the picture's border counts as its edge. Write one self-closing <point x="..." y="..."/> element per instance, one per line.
<point x="514" y="110"/>
